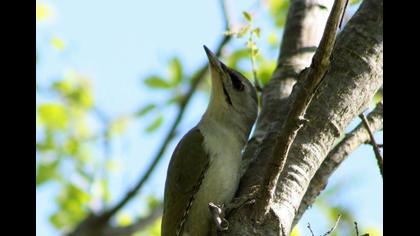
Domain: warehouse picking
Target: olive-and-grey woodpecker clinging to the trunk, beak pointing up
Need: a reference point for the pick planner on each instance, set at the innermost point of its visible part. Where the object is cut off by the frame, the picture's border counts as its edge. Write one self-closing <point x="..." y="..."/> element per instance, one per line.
<point x="205" y="165"/>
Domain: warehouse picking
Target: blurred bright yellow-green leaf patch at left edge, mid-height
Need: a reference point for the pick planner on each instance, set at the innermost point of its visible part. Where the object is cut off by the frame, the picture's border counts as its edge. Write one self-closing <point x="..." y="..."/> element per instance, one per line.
<point x="53" y="115"/>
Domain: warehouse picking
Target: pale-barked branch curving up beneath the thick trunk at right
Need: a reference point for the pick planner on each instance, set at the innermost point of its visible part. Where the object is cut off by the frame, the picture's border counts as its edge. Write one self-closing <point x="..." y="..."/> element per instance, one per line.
<point x="337" y="155"/>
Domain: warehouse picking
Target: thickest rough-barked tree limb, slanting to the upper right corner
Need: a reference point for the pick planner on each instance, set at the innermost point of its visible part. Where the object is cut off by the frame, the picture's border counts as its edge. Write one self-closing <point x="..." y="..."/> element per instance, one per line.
<point x="354" y="76"/>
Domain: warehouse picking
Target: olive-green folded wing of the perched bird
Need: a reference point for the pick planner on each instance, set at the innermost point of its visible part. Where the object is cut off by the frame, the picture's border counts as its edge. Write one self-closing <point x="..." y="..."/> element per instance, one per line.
<point x="186" y="170"/>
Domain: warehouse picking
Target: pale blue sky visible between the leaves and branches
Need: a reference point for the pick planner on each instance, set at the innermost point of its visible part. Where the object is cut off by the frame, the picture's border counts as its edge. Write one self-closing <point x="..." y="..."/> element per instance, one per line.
<point x="117" y="43"/>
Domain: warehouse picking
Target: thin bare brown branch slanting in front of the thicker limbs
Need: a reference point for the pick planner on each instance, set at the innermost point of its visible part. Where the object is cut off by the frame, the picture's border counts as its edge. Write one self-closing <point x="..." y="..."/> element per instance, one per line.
<point x="295" y="118"/>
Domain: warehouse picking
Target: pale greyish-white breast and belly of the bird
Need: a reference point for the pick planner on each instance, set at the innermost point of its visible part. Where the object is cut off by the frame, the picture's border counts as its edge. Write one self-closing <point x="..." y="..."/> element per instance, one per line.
<point x="222" y="177"/>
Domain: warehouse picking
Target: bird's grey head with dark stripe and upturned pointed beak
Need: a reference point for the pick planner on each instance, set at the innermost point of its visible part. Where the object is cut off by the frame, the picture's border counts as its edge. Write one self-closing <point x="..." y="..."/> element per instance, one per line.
<point x="233" y="99"/>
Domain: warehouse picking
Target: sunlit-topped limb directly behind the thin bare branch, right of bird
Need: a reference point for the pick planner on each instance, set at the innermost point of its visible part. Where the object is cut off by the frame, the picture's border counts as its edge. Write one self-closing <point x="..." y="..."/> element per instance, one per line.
<point x="303" y="31"/>
